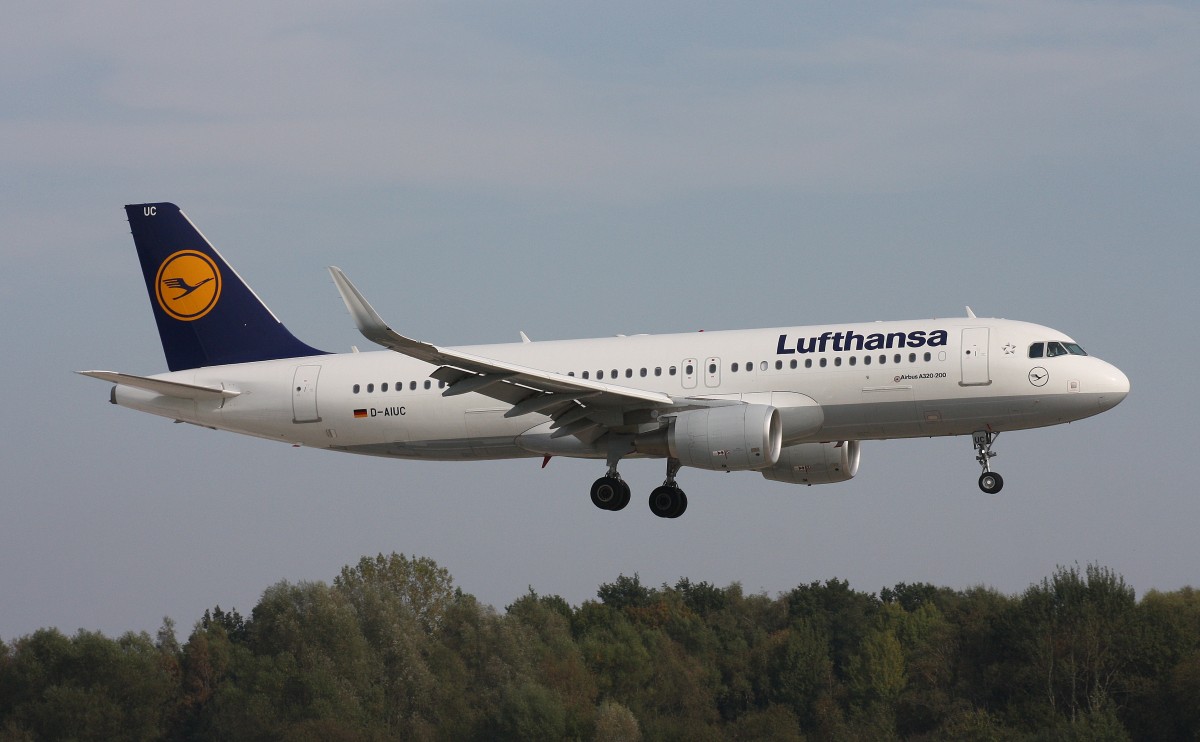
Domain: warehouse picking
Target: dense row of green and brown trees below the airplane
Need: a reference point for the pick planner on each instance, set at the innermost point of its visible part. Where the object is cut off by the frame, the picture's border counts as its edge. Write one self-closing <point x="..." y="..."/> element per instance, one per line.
<point x="392" y="650"/>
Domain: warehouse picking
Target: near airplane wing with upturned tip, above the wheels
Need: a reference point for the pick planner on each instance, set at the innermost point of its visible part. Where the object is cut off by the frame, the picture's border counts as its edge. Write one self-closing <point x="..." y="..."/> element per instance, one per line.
<point x="525" y="388"/>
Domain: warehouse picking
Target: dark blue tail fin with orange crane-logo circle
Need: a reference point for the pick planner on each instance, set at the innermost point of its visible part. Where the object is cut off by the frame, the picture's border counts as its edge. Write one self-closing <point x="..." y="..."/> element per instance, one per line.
<point x="207" y="315"/>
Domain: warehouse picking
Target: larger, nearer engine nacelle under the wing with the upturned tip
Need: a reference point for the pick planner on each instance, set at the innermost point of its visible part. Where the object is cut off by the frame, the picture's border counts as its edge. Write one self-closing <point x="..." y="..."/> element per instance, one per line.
<point x="728" y="439"/>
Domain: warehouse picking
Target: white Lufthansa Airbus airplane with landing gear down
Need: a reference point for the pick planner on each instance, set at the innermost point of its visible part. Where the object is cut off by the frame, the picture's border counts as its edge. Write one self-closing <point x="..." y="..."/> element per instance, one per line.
<point x="791" y="403"/>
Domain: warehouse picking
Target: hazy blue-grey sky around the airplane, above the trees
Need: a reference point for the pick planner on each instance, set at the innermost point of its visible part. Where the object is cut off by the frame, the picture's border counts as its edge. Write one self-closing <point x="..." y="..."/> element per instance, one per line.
<point x="579" y="171"/>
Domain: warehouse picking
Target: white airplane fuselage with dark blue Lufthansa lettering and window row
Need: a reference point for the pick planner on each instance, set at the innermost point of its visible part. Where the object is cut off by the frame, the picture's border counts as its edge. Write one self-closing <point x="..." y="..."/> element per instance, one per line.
<point x="848" y="382"/>
